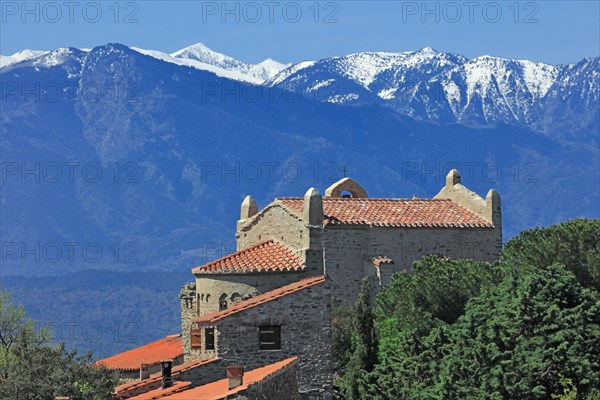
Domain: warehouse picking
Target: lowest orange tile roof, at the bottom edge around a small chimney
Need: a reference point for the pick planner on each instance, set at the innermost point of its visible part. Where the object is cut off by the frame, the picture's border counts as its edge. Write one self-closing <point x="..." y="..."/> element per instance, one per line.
<point x="220" y="390"/>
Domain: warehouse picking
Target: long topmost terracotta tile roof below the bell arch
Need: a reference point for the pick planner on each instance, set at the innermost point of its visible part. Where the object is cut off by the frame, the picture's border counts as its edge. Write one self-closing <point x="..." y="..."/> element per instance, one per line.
<point x="414" y="213"/>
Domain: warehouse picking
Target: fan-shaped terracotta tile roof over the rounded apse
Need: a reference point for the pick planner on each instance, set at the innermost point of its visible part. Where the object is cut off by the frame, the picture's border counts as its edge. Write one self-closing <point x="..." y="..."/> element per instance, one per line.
<point x="267" y="256"/>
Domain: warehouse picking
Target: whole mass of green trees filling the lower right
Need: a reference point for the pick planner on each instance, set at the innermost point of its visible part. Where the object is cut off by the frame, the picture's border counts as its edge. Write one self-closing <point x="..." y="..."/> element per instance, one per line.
<point x="527" y="327"/>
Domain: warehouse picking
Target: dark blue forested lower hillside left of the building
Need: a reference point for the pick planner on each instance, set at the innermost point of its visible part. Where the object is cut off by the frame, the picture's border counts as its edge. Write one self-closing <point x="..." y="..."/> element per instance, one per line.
<point x="100" y="311"/>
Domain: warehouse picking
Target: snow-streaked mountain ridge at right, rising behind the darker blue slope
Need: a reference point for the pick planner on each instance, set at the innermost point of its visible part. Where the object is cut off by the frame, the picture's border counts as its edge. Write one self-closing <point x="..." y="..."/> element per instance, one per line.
<point x="449" y="88"/>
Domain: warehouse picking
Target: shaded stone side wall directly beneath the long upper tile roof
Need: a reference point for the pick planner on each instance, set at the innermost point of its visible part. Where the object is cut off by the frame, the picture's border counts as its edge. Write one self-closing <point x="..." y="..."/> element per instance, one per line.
<point x="347" y="251"/>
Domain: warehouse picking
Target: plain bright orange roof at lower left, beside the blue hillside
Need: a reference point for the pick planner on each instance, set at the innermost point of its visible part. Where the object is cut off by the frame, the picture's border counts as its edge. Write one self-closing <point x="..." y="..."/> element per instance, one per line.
<point x="167" y="348"/>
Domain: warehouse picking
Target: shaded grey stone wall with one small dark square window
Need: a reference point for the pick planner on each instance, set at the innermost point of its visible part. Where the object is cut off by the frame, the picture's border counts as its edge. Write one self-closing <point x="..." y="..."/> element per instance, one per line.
<point x="305" y="320"/>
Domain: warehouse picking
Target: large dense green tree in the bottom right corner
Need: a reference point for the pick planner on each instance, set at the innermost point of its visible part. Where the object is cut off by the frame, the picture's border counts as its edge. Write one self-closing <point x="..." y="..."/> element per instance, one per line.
<point x="518" y="339"/>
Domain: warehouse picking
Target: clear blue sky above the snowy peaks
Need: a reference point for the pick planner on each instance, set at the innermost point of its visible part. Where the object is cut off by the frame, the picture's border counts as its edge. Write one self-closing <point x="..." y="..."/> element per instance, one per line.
<point x="291" y="31"/>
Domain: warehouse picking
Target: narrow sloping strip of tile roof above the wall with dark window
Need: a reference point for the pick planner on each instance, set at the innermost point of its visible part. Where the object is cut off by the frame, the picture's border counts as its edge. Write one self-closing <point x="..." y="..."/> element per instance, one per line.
<point x="261" y="299"/>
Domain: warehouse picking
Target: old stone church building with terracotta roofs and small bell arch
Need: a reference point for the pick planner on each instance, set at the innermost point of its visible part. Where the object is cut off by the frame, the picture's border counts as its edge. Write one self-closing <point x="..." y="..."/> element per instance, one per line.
<point x="272" y="298"/>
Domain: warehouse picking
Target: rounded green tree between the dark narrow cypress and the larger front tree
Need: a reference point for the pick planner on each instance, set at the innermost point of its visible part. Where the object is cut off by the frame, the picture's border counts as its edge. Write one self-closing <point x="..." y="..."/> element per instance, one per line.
<point x="412" y="316"/>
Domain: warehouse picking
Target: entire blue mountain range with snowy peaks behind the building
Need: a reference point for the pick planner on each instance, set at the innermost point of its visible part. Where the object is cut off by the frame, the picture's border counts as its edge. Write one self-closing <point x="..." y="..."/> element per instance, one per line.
<point x="179" y="139"/>
